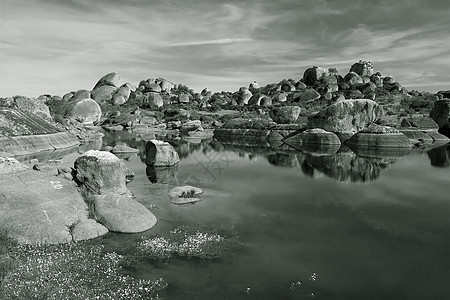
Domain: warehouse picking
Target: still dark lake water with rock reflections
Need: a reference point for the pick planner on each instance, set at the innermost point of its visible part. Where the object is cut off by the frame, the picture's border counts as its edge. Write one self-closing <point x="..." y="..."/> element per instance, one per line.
<point x="315" y="226"/>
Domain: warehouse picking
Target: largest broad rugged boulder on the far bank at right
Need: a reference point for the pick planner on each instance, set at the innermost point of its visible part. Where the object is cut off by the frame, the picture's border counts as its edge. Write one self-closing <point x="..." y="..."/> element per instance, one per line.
<point x="347" y="116"/>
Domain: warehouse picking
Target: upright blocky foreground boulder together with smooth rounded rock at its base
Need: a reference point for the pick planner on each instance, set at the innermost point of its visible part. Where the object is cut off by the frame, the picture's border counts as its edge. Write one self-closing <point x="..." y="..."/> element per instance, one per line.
<point x="103" y="176"/>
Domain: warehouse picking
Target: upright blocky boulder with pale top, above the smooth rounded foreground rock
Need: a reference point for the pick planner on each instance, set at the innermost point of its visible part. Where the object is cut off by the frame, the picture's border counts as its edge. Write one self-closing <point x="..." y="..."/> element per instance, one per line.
<point x="101" y="172"/>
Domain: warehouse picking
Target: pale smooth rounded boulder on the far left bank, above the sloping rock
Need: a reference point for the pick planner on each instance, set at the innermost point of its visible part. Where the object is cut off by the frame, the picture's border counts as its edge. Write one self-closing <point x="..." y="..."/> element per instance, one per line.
<point x="83" y="110"/>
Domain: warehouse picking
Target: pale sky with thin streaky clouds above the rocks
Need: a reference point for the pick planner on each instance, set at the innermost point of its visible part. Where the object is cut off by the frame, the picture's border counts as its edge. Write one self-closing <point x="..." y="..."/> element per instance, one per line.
<point x="58" y="46"/>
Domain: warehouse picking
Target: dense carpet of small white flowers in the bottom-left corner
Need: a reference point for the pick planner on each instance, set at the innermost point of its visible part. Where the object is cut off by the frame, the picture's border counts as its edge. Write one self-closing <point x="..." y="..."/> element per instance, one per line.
<point x="73" y="272"/>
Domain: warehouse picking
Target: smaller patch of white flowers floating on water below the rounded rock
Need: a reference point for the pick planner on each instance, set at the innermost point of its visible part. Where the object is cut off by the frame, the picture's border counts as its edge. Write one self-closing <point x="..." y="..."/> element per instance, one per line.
<point x="199" y="241"/>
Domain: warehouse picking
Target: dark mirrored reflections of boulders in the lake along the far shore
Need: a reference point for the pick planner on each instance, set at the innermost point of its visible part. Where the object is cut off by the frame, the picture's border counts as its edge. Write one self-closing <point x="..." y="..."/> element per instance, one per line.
<point x="358" y="165"/>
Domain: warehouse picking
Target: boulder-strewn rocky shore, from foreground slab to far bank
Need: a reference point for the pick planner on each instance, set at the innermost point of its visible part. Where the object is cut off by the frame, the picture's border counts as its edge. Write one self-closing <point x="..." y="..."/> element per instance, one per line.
<point x="322" y="111"/>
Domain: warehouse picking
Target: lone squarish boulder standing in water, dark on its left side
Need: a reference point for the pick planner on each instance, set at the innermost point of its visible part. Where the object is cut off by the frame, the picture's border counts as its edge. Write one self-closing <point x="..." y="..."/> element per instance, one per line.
<point x="160" y="154"/>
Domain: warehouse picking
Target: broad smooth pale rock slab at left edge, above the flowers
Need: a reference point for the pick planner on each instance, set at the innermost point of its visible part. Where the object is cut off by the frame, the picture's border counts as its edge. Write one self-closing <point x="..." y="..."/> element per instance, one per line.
<point x="37" y="208"/>
